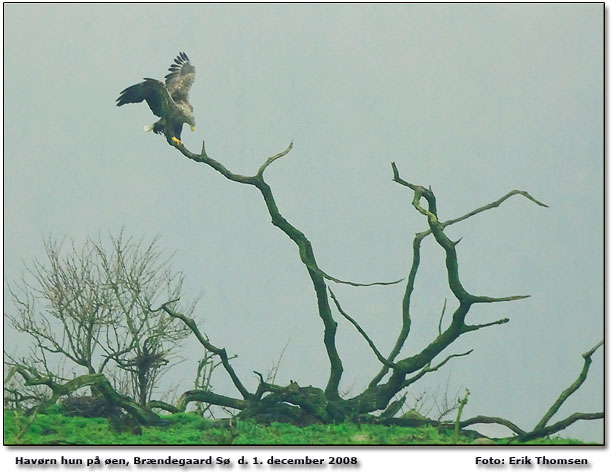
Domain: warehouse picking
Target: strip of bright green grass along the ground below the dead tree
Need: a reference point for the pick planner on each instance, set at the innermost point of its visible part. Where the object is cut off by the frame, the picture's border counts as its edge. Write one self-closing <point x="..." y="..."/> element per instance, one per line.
<point x="189" y="429"/>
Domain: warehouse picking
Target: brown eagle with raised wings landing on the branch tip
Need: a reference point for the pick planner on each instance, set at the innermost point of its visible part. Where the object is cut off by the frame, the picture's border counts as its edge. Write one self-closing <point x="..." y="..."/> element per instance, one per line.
<point x="169" y="100"/>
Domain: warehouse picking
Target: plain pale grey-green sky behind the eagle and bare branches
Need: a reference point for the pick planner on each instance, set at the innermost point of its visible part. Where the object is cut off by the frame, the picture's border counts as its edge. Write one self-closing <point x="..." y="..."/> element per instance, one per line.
<point x="474" y="100"/>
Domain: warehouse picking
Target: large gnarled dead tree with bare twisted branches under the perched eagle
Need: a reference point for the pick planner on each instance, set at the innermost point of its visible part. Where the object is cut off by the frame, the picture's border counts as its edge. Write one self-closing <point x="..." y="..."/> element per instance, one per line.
<point x="306" y="404"/>
